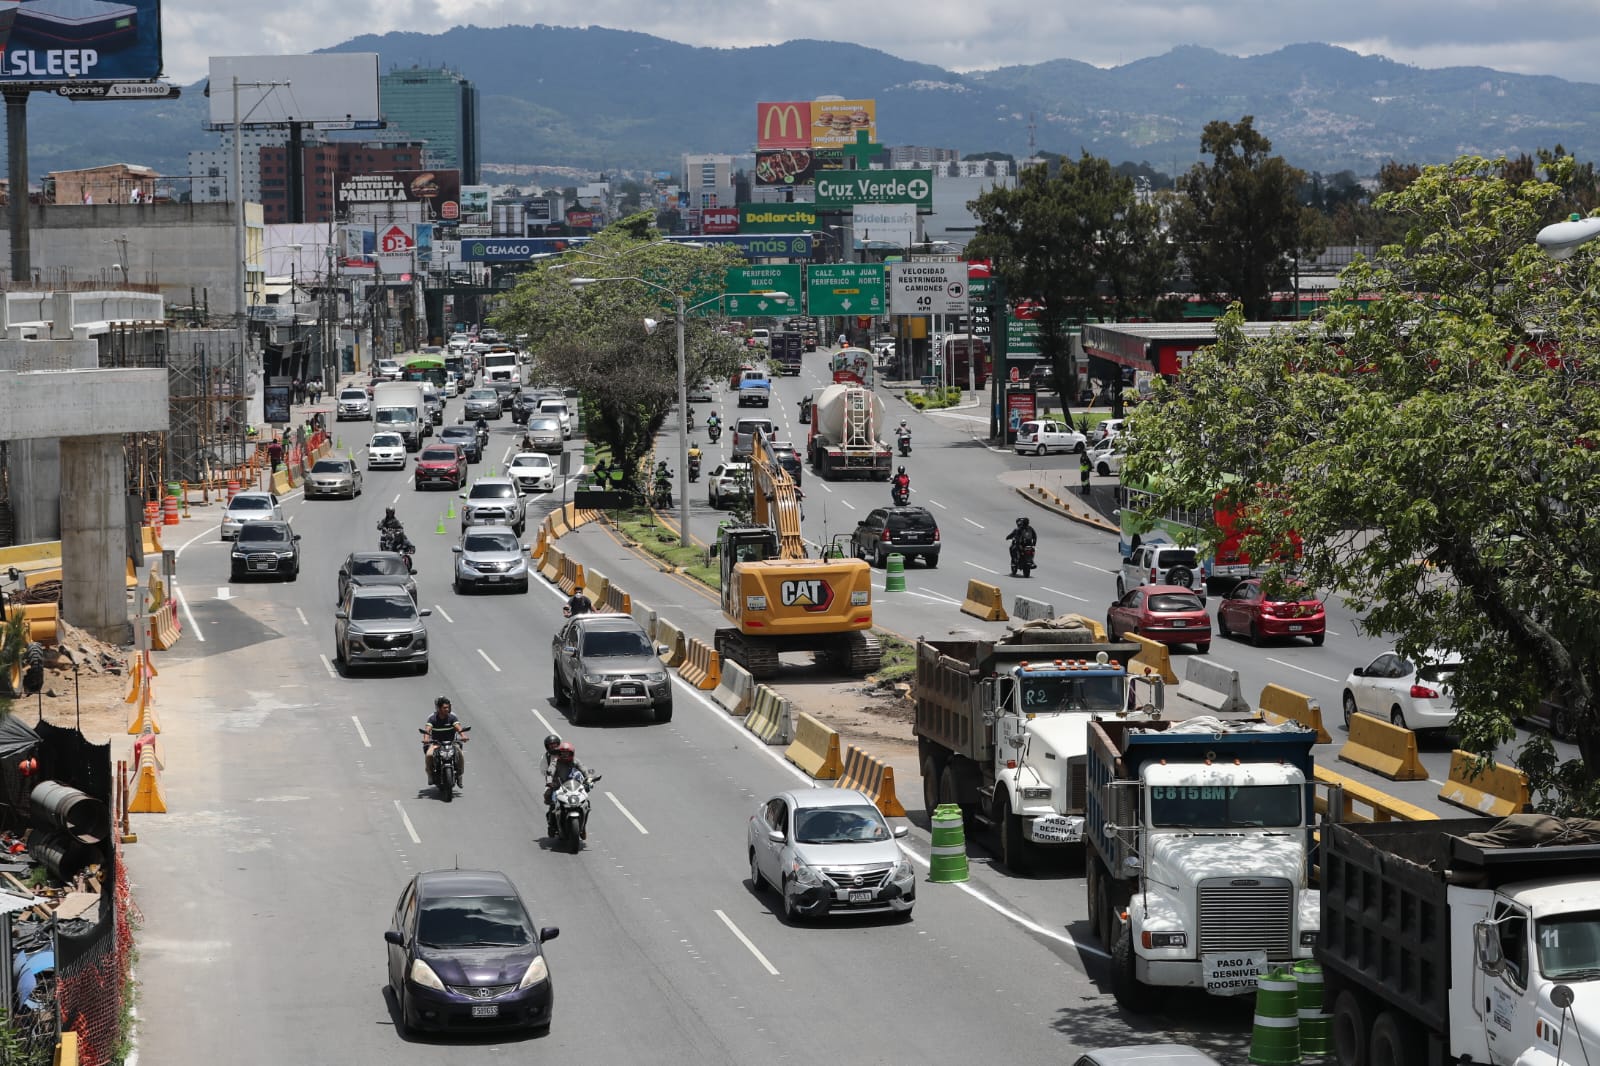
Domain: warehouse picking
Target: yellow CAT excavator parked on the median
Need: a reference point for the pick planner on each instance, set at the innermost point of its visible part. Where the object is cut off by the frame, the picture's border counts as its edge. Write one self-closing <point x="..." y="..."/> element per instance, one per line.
<point x="778" y="598"/>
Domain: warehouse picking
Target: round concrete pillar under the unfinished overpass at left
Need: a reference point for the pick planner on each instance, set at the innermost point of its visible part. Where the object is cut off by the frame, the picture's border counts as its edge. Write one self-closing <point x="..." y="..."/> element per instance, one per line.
<point x="94" y="537"/>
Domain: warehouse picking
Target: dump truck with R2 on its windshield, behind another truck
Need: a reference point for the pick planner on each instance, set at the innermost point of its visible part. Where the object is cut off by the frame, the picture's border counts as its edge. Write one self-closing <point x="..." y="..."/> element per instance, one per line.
<point x="1002" y="729"/>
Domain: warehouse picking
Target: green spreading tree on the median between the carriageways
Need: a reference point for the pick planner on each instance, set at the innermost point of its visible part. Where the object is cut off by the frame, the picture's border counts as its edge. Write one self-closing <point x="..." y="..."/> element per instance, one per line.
<point x="594" y="337"/>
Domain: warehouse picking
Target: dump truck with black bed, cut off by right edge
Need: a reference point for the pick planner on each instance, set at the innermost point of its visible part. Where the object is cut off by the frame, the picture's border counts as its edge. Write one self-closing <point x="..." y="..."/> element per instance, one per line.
<point x="1466" y="940"/>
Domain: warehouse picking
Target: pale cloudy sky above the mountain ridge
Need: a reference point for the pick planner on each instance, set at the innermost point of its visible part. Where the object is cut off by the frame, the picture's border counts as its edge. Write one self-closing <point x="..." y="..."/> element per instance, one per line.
<point x="1559" y="38"/>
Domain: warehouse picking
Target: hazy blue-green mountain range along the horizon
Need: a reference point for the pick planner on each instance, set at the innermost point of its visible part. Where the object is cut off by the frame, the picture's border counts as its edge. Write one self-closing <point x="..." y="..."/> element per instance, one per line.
<point x="615" y="100"/>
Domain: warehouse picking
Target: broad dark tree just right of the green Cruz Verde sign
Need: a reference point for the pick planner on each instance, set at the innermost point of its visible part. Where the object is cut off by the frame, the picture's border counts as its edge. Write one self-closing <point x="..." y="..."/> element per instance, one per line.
<point x="1078" y="244"/>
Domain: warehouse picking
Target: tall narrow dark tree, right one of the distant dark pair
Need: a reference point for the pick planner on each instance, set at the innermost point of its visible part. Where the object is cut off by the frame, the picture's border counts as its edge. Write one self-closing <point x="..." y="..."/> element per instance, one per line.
<point x="1239" y="223"/>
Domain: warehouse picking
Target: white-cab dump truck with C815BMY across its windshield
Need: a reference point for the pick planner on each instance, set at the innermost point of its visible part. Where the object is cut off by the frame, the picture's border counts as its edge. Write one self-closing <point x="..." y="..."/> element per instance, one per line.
<point x="1199" y="854"/>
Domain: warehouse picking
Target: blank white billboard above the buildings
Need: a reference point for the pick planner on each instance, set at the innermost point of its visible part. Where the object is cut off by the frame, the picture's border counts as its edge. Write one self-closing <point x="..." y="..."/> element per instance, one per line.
<point x="334" y="89"/>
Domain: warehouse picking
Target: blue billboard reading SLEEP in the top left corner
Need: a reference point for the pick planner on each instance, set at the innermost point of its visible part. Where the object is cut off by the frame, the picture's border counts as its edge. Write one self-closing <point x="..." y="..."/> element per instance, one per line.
<point x="54" y="44"/>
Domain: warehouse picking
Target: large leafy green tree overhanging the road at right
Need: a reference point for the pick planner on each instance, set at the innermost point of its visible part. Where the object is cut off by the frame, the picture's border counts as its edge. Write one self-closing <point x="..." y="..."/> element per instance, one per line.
<point x="1434" y="449"/>
